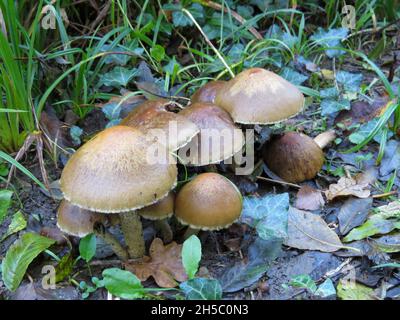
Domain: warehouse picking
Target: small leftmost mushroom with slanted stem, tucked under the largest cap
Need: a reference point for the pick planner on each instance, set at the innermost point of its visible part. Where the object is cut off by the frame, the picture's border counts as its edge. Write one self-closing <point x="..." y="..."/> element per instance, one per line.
<point x="80" y="222"/>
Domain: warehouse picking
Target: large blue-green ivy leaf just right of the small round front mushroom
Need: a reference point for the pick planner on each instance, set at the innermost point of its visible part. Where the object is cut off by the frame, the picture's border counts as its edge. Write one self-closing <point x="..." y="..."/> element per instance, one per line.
<point x="268" y="214"/>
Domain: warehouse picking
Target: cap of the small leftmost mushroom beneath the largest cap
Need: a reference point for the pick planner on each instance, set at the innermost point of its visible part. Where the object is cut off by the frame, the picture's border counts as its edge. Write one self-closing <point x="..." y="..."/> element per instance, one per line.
<point x="76" y="221"/>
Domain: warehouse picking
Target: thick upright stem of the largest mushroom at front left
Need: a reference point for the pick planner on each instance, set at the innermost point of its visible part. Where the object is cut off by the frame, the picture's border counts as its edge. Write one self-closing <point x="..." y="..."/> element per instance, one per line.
<point x="131" y="227"/>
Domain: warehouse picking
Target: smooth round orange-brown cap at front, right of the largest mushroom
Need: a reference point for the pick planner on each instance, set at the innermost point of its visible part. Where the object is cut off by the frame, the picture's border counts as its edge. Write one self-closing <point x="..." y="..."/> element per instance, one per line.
<point x="208" y="202"/>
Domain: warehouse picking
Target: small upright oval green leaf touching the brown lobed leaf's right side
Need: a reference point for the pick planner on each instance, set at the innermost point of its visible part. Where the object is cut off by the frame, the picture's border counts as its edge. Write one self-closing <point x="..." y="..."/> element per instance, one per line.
<point x="191" y="255"/>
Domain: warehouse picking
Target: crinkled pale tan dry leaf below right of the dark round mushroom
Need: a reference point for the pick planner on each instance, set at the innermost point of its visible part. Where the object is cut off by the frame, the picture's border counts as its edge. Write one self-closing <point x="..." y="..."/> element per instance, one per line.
<point x="347" y="187"/>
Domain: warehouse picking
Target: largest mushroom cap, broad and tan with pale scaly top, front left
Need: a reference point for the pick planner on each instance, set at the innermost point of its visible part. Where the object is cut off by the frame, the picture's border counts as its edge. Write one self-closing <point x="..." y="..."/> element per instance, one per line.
<point x="112" y="173"/>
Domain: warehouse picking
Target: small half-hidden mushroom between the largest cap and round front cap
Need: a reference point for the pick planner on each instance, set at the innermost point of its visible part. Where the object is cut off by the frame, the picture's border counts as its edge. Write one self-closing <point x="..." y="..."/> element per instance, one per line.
<point x="159" y="213"/>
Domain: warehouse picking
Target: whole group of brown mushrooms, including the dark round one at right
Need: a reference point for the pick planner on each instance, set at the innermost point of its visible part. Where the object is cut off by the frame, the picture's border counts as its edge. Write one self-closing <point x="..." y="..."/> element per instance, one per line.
<point x="112" y="175"/>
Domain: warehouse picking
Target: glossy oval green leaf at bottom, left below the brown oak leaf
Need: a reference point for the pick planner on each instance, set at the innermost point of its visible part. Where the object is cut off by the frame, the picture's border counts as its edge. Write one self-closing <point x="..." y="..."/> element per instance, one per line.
<point x="123" y="284"/>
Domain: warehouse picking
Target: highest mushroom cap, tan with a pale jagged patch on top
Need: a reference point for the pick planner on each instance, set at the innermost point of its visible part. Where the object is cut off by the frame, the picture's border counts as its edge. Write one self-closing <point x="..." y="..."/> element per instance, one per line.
<point x="258" y="96"/>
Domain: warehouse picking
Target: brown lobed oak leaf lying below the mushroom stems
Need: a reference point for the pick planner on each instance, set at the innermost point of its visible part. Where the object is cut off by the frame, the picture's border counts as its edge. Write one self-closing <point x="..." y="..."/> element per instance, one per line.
<point x="164" y="264"/>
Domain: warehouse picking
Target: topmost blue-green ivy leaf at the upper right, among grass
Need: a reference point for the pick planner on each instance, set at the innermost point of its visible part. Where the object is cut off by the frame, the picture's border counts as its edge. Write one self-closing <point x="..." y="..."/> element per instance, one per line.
<point x="330" y="38"/>
